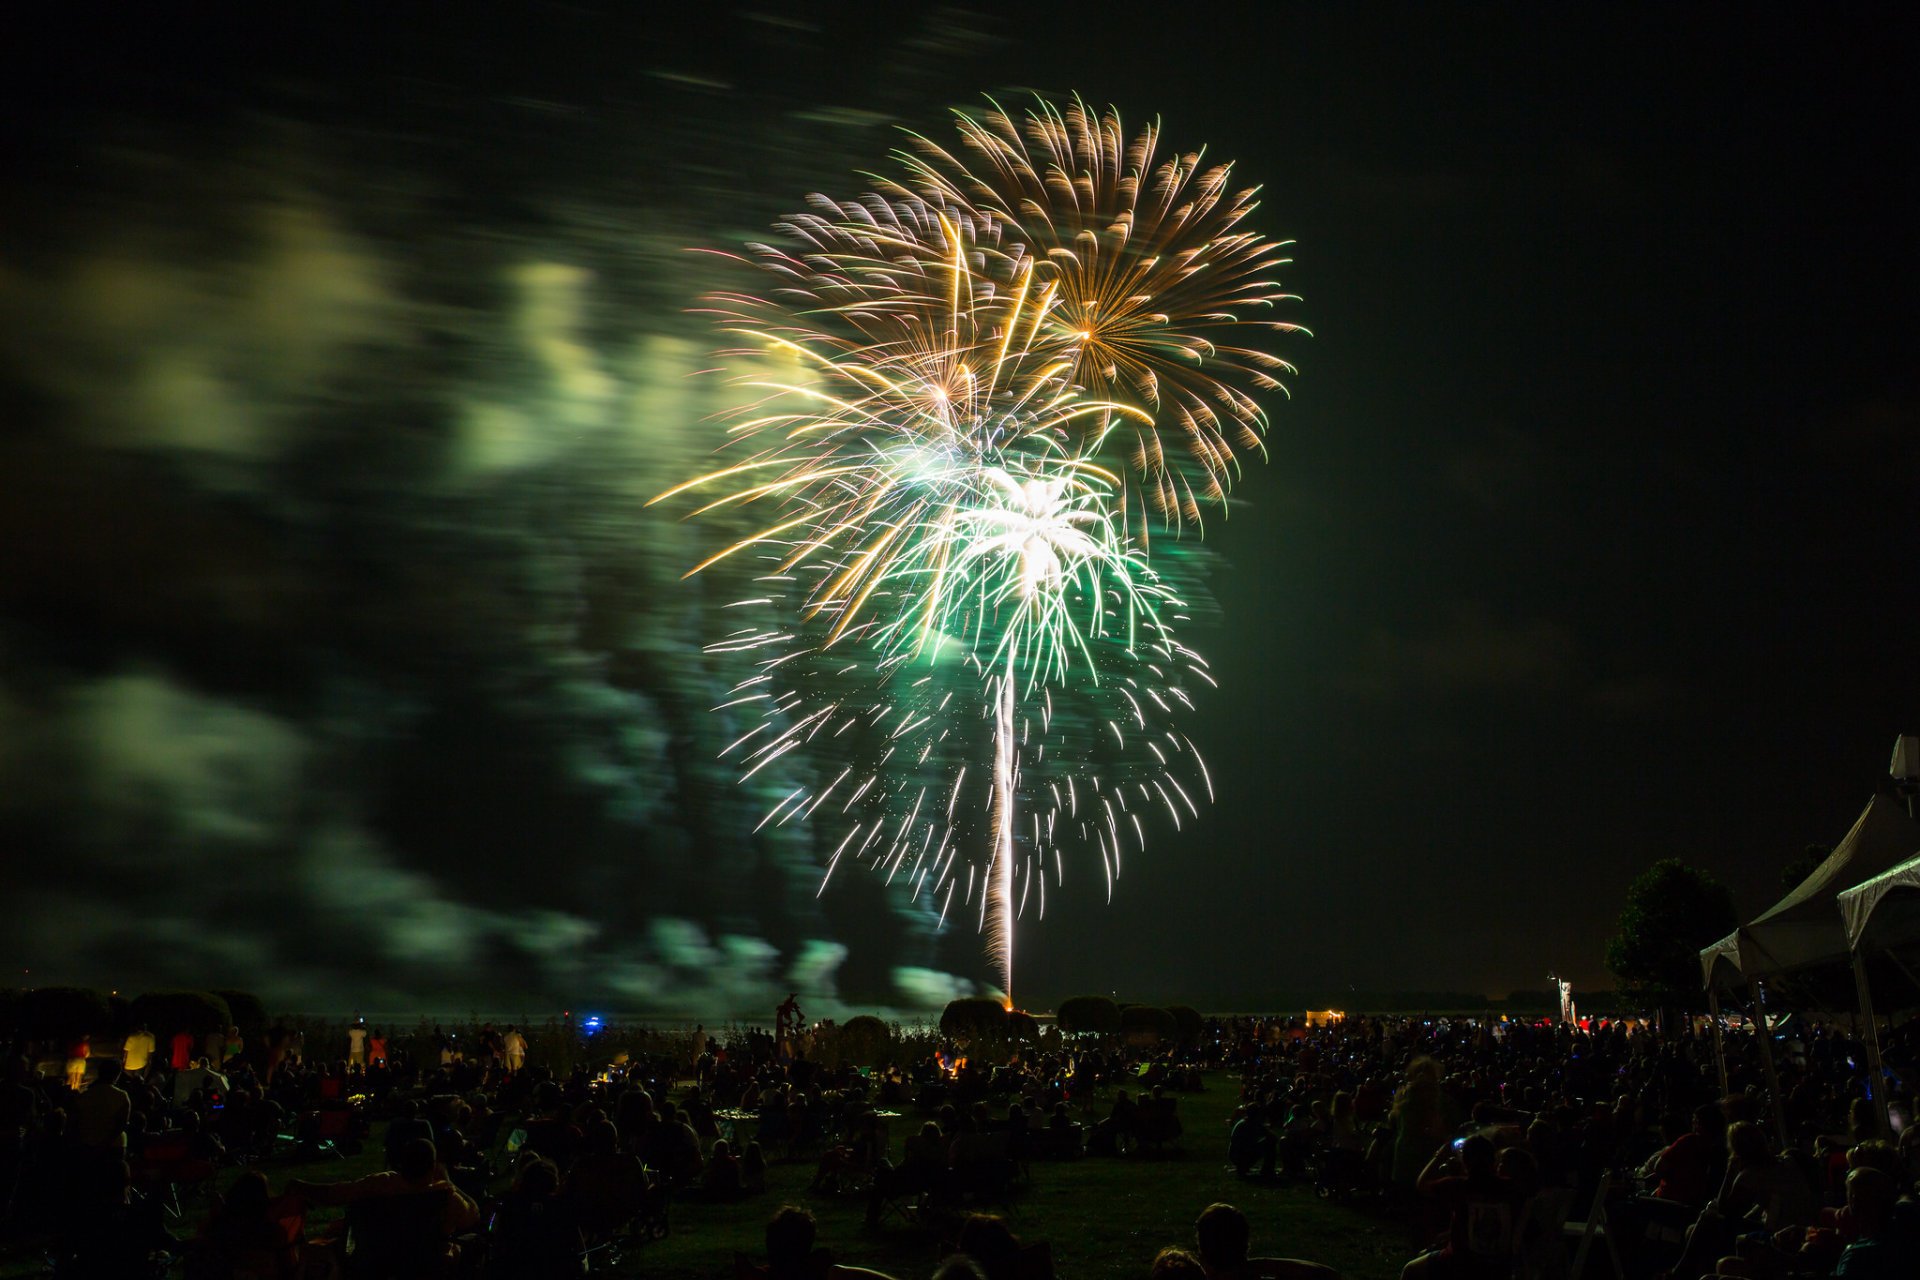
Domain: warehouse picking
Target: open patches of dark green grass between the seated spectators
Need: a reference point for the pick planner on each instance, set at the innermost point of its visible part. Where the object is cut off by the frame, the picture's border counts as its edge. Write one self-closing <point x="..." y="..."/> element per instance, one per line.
<point x="1105" y="1218"/>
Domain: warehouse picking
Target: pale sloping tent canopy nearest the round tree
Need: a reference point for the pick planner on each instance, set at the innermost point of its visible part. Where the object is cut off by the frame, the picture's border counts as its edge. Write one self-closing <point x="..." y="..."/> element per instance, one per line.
<point x="1806" y="930"/>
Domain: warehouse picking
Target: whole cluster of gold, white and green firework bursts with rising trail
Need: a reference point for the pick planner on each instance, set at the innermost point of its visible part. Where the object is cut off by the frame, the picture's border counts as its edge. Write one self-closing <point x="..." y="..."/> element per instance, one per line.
<point x="965" y="352"/>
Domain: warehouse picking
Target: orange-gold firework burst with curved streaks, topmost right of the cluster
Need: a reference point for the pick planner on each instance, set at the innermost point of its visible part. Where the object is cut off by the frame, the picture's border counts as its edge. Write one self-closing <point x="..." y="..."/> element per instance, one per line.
<point x="1159" y="287"/>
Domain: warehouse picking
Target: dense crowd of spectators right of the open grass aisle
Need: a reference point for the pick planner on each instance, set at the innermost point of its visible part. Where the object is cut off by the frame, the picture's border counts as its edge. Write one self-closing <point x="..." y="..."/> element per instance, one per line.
<point x="1485" y="1135"/>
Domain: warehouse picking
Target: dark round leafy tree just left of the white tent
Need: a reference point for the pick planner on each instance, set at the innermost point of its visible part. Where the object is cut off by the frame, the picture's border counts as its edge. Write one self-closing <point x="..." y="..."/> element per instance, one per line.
<point x="1673" y="911"/>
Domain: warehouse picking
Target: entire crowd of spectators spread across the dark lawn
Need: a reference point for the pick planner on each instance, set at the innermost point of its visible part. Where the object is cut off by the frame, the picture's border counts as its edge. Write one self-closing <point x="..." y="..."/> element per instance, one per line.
<point x="1479" y="1137"/>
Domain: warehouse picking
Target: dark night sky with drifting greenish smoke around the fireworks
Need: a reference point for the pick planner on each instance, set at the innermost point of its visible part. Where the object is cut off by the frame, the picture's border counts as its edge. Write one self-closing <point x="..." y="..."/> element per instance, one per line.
<point x="1587" y="538"/>
